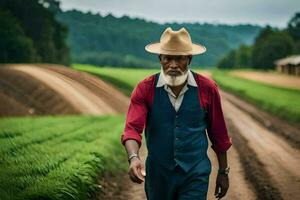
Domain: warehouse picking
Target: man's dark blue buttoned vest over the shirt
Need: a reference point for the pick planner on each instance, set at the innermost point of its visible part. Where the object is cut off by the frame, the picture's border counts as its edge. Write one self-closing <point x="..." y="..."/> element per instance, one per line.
<point x="176" y="138"/>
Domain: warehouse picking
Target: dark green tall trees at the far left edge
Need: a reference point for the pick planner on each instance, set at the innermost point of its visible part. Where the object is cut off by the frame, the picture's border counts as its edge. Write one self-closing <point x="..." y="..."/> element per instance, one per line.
<point x="29" y="32"/>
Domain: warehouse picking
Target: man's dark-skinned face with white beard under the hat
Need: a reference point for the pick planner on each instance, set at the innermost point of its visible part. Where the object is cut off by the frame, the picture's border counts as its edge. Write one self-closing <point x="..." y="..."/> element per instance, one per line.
<point x="174" y="68"/>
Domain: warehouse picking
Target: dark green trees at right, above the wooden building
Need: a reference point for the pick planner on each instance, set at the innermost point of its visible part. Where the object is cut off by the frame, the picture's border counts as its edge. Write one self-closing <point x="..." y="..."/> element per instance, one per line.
<point x="270" y="44"/>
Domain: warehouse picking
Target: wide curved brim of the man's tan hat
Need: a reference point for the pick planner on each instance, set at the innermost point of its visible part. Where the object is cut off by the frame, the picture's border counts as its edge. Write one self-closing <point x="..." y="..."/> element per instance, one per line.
<point x="156" y="49"/>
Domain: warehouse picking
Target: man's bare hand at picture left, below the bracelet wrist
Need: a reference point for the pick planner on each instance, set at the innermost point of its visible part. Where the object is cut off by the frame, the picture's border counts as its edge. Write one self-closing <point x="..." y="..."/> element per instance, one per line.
<point x="137" y="170"/>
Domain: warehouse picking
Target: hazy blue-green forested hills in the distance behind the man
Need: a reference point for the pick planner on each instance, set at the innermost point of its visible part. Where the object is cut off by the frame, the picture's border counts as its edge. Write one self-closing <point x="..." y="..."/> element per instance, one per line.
<point x="108" y="40"/>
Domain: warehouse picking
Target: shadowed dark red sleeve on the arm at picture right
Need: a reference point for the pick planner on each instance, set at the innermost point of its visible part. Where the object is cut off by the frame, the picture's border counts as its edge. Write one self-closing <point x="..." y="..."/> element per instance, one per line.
<point x="217" y="130"/>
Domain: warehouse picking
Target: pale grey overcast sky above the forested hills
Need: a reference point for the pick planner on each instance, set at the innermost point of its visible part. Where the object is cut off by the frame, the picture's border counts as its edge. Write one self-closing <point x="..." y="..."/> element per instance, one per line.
<point x="262" y="12"/>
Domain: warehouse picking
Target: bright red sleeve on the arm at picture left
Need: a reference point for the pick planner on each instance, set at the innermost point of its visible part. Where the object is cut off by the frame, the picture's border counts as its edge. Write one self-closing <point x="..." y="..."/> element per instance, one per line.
<point x="136" y="116"/>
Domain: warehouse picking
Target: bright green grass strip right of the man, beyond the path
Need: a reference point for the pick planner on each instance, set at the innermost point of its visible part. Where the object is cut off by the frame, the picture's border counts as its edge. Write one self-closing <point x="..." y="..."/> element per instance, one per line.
<point x="281" y="102"/>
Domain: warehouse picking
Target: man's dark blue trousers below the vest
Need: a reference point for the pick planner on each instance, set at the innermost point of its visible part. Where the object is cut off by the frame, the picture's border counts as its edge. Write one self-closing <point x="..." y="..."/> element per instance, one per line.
<point x="164" y="184"/>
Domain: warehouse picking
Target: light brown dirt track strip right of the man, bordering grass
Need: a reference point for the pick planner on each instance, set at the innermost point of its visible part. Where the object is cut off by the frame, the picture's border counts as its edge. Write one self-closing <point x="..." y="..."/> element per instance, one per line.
<point x="280" y="159"/>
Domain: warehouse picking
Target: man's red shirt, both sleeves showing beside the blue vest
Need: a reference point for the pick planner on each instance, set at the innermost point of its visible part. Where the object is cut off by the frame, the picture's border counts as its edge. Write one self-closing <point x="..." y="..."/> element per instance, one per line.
<point x="142" y="100"/>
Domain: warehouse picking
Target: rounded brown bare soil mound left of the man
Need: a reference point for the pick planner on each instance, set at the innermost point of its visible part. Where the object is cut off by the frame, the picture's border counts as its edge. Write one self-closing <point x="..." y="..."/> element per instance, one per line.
<point x="56" y="90"/>
